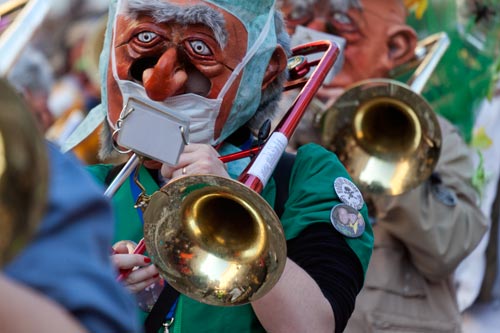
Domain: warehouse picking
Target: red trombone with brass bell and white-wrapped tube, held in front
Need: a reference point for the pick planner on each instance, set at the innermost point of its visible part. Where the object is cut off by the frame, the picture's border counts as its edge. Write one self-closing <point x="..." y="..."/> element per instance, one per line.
<point x="215" y="239"/>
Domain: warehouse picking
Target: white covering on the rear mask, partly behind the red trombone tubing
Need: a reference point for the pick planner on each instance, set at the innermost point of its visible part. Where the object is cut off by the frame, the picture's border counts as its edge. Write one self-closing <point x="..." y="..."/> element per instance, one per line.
<point x="305" y="35"/>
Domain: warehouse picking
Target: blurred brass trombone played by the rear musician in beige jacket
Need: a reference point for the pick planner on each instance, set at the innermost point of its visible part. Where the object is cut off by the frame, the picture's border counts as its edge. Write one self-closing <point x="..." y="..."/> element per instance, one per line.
<point x="385" y="133"/>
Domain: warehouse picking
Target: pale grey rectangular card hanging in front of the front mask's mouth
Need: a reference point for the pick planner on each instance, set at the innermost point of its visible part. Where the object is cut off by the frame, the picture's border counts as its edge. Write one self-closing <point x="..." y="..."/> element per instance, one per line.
<point x="153" y="132"/>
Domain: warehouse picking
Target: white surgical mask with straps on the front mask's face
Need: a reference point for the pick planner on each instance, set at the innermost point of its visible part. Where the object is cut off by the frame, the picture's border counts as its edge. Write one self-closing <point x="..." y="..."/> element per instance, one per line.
<point x="202" y="112"/>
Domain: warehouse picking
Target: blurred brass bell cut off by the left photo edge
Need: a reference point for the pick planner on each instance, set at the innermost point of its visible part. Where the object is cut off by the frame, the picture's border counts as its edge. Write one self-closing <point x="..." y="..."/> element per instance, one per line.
<point x="23" y="174"/>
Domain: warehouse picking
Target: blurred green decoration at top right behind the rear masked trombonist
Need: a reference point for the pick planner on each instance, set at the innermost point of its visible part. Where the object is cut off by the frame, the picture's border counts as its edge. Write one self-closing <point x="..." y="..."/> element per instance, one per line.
<point x="466" y="74"/>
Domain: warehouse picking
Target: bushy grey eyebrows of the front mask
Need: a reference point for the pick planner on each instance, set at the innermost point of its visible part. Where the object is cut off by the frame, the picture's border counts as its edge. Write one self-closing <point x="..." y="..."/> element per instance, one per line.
<point x="162" y="11"/>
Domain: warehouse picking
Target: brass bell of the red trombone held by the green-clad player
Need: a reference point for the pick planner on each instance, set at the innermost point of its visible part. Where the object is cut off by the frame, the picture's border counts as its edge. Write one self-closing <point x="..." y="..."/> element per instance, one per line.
<point x="214" y="239"/>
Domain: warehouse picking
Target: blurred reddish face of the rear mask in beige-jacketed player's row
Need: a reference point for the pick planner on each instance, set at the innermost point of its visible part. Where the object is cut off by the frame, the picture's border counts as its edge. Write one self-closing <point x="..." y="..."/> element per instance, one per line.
<point x="366" y="31"/>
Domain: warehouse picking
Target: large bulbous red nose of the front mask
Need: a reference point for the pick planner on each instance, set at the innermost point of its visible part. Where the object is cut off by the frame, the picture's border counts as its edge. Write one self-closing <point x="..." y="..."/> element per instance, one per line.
<point x="166" y="78"/>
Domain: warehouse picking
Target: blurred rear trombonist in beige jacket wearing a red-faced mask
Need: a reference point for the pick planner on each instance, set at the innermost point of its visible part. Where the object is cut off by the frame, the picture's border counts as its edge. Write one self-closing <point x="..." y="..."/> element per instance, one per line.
<point x="422" y="235"/>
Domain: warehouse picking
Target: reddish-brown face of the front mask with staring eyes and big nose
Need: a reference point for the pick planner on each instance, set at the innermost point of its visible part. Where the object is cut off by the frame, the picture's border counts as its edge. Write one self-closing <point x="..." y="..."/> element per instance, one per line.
<point x="171" y="58"/>
